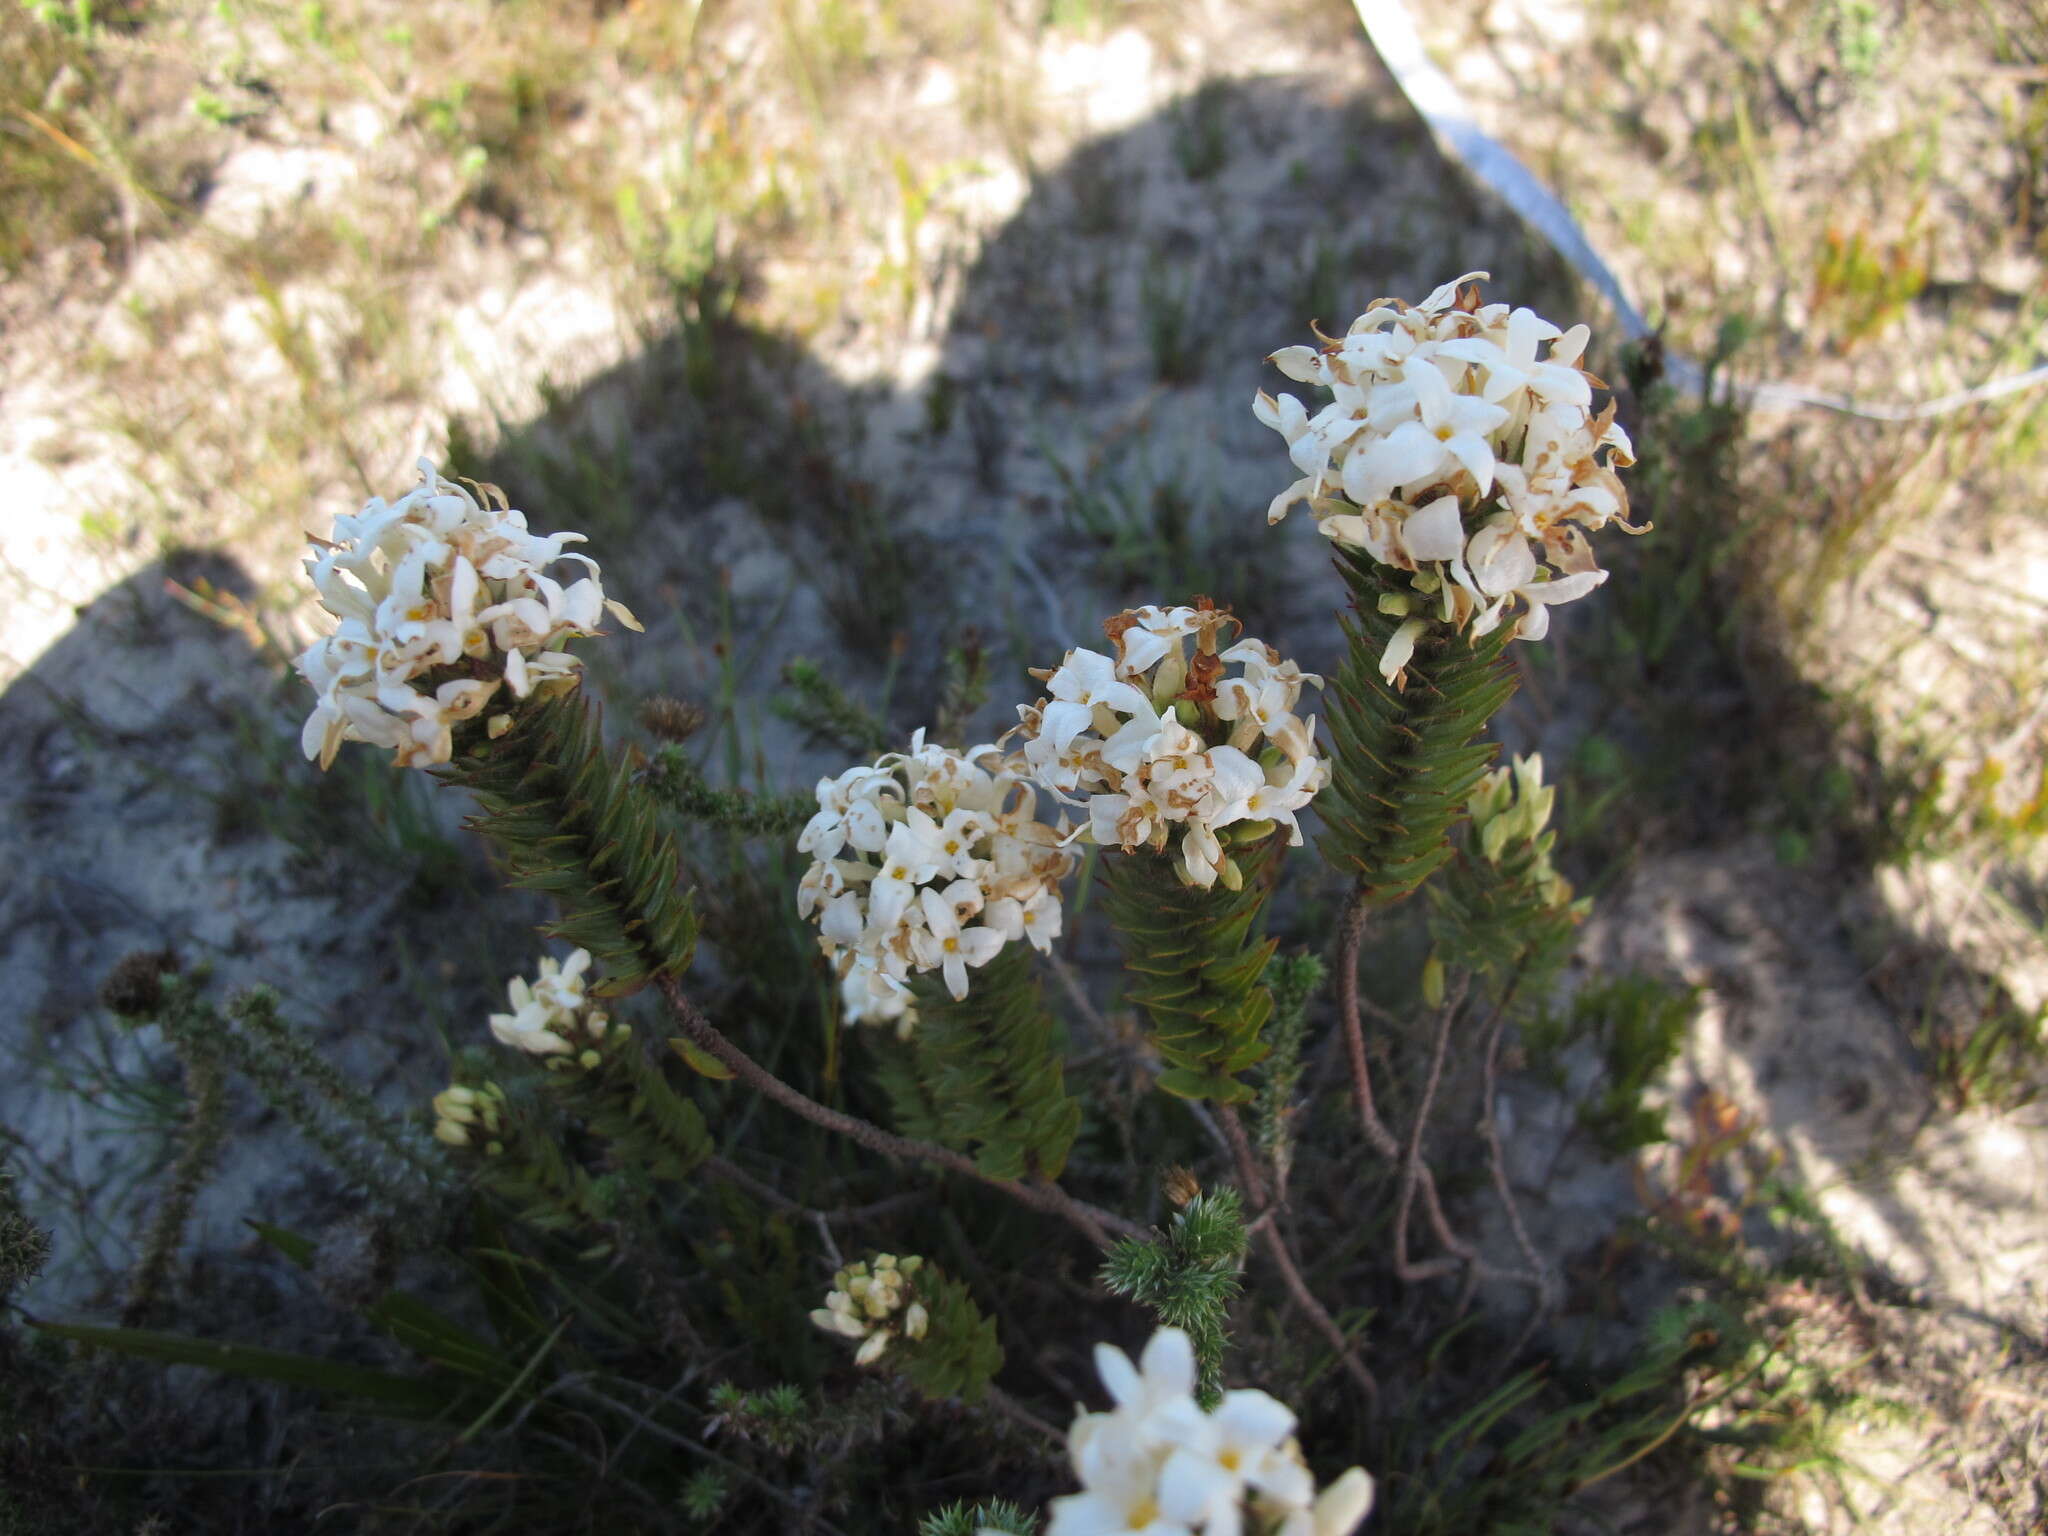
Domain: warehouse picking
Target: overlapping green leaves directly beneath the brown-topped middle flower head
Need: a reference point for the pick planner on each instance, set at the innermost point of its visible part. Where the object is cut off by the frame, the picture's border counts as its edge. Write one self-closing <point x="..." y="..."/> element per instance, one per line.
<point x="1197" y="964"/>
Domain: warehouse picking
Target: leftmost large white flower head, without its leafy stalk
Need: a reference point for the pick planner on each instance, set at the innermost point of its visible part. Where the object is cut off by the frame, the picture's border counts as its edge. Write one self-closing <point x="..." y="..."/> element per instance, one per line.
<point x="441" y="601"/>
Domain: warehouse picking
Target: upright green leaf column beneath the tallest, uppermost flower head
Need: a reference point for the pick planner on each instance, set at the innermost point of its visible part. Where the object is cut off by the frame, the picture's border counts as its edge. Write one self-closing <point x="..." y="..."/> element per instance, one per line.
<point x="1404" y="757"/>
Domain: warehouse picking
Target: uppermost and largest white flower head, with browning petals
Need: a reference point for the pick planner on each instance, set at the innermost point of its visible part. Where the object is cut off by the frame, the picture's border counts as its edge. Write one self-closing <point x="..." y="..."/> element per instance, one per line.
<point x="1449" y="447"/>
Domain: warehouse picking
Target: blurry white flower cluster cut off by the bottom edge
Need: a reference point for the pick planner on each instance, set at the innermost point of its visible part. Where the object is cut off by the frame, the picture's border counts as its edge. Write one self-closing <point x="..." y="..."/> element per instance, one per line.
<point x="1160" y="1465"/>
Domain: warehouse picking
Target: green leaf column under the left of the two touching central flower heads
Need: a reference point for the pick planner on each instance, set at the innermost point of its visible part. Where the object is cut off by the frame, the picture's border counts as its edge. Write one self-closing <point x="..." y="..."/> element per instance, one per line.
<point x="986" y="1072"/>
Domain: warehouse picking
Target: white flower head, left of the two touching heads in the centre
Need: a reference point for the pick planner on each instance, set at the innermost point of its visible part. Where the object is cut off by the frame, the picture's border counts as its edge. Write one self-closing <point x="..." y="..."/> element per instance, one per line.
<point x="908" y="855"/>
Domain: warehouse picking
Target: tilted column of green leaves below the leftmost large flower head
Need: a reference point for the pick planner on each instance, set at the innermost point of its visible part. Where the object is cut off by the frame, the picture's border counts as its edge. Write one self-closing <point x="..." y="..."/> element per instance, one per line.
<point x="572" y="822"/>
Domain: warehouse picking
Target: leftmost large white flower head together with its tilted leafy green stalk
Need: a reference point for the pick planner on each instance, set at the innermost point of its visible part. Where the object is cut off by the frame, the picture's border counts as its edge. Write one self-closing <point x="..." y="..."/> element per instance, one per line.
<point x="447" y="617"/>
